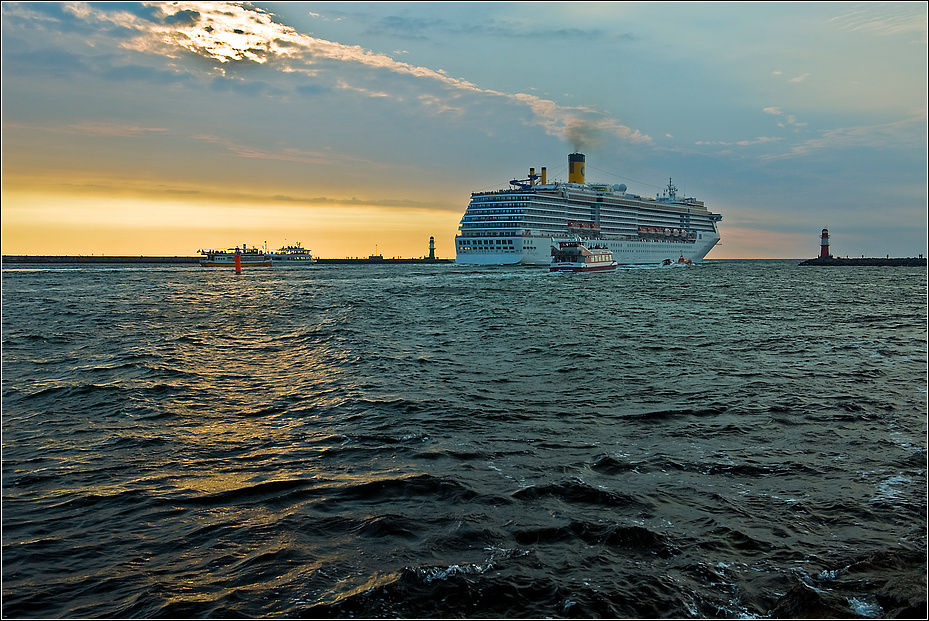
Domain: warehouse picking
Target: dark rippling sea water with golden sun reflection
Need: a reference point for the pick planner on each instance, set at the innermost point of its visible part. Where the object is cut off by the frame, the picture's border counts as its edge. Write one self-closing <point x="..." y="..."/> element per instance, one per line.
<point x="451" y="441"/>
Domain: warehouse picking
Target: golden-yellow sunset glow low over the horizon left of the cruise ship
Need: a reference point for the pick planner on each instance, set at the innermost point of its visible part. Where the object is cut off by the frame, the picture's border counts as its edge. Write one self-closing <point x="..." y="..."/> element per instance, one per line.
<point x="134" y="225"/>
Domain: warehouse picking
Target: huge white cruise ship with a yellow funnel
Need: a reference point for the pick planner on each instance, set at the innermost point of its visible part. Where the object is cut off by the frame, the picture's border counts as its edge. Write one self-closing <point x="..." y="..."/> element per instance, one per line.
<point x="521" y="224"/>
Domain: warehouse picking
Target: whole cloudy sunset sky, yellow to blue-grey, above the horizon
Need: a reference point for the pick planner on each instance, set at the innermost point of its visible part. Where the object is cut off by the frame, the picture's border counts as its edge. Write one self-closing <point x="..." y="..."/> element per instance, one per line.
<point x="362" y="128"/>
